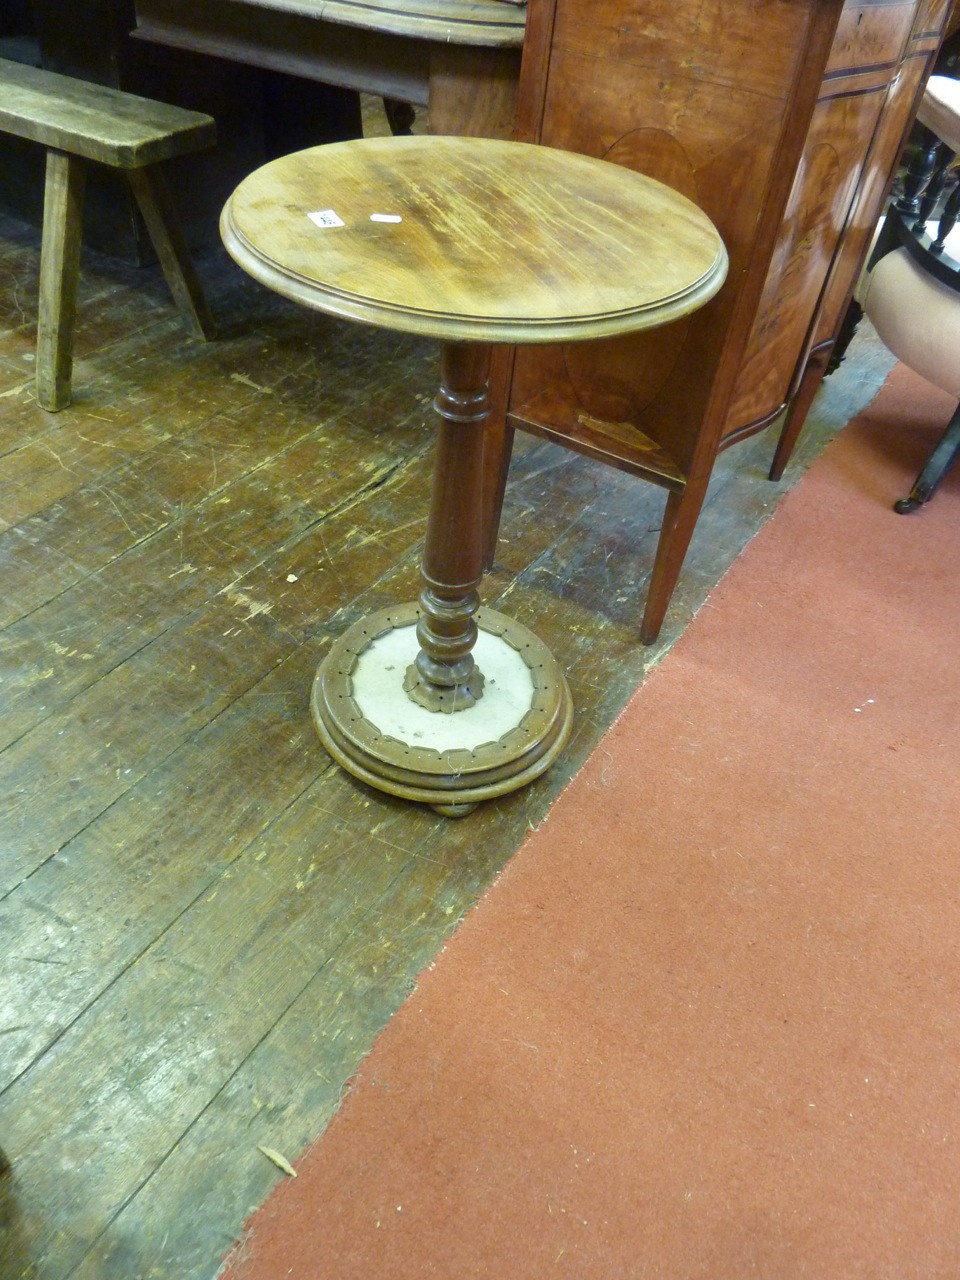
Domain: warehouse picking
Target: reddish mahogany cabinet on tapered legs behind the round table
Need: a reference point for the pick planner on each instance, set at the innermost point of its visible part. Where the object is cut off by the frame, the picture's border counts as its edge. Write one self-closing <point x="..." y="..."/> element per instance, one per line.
<point x="784" y="120"/>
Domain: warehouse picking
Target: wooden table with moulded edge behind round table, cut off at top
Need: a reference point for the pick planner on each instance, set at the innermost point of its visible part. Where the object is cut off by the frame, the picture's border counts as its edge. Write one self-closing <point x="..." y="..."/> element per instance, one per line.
<point x="458" y="58"/>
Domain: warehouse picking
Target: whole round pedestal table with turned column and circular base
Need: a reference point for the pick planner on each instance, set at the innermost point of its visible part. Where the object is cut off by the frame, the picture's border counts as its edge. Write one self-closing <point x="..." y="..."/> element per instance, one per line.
<point x="473" y="243"/>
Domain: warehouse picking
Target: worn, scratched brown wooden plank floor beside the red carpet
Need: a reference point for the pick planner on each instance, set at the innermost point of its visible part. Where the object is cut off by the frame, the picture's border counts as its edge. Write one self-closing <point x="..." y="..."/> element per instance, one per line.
<point x="203" y="922"/>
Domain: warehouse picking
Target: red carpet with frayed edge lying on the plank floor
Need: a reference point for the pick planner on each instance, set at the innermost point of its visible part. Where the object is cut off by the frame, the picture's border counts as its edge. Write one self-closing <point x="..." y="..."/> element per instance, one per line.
<point x="707" y="1025"/>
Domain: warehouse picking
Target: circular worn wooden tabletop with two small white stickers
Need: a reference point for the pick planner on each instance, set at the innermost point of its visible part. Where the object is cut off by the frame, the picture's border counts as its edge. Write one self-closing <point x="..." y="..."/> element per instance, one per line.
<point x="474" y="240"/>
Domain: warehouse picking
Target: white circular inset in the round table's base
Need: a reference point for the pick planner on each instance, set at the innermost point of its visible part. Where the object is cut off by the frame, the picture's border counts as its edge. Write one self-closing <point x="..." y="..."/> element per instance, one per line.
<point x="378" y="692"/>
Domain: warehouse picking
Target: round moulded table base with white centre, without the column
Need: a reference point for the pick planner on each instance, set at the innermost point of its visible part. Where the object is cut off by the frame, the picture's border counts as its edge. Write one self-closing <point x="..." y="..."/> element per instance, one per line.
<point x="447" y="760"/>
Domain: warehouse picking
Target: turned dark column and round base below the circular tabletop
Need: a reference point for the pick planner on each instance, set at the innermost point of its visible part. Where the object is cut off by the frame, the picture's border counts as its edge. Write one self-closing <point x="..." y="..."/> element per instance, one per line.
<point x="401" y="701"/>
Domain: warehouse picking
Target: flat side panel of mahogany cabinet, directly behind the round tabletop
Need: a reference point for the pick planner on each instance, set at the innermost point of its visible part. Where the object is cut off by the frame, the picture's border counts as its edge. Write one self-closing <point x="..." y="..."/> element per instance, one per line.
<point x="714" y="98"/>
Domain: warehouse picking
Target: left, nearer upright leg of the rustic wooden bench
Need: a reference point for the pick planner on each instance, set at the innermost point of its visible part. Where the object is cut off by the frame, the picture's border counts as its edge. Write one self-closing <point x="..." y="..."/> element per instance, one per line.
<point x="60" y="268"/>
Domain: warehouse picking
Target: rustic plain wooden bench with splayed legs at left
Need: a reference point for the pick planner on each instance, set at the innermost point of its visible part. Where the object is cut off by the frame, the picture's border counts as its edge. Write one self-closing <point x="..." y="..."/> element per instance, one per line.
<point x="79" y="122"/>
